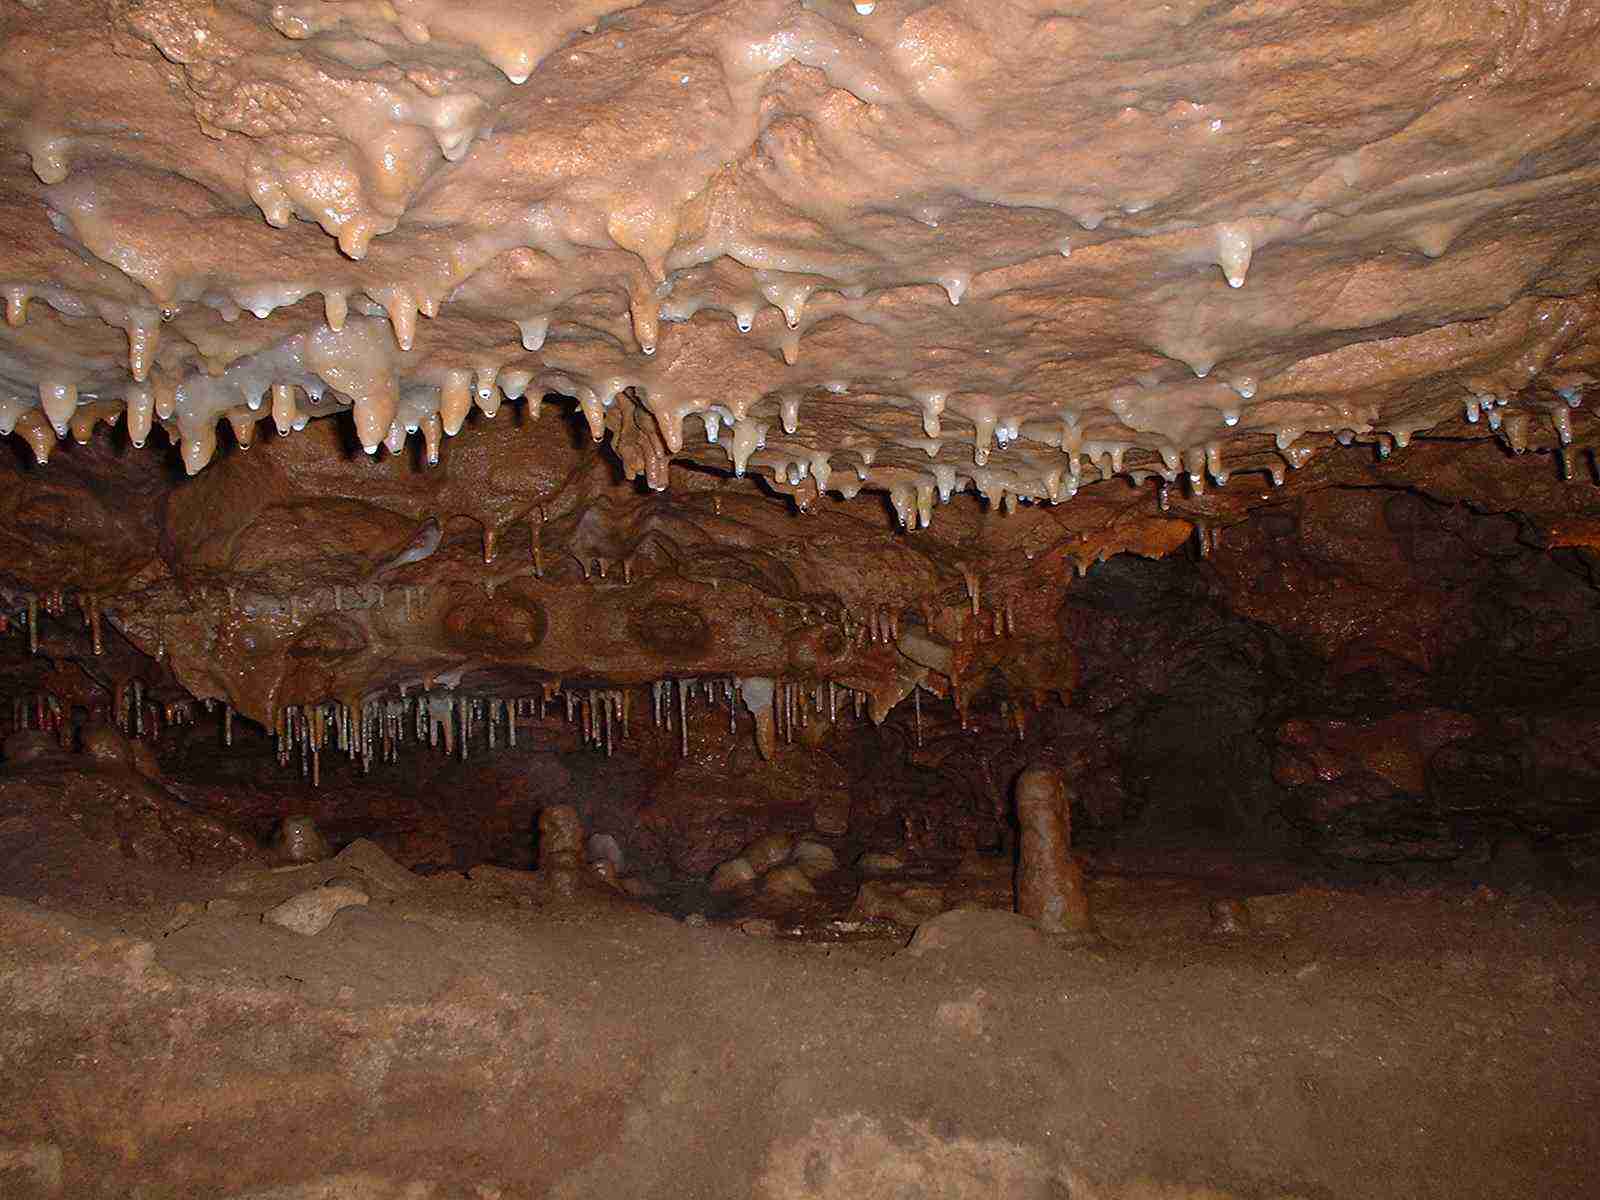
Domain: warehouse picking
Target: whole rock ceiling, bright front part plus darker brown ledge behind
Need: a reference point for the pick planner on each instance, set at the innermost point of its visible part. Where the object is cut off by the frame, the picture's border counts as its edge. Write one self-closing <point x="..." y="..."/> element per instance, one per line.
<point x="889" y="319"/>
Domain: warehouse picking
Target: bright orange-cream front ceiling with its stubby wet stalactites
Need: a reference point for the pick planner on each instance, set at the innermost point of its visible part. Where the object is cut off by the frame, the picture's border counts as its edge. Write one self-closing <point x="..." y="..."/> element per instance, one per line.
<point x="919" y="250"/>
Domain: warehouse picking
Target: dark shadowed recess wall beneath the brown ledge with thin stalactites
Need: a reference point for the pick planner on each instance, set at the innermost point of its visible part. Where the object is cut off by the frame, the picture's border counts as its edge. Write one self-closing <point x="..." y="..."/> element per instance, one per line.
<point x="1362" y="678"/>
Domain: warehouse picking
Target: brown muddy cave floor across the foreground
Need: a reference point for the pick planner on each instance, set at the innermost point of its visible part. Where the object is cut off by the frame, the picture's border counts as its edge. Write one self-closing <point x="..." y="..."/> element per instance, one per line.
<point x="474" y="1034"/>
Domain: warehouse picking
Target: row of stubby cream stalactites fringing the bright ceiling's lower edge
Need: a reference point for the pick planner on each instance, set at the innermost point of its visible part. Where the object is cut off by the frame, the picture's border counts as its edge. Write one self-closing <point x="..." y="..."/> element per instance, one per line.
<point x="356" y="369"/>
